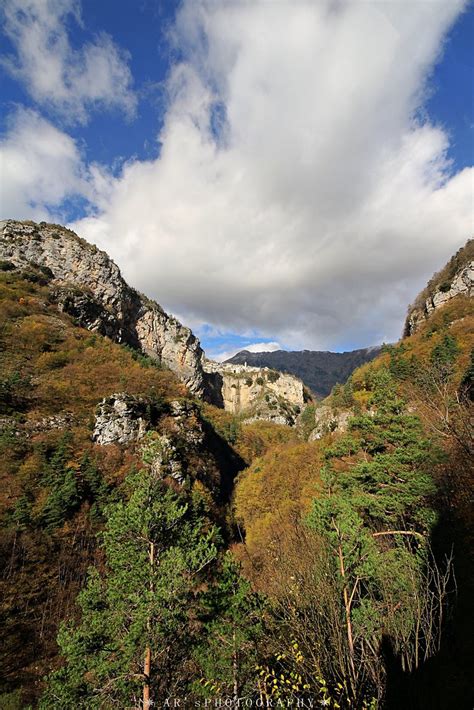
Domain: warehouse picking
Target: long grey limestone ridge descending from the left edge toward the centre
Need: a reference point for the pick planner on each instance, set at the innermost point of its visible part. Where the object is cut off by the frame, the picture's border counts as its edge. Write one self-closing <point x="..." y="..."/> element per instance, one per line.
<point x="89" y="286"/>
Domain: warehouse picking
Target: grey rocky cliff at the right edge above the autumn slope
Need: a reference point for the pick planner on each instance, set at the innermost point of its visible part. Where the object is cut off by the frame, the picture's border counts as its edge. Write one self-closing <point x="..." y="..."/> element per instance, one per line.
<point x="455" y="279"/>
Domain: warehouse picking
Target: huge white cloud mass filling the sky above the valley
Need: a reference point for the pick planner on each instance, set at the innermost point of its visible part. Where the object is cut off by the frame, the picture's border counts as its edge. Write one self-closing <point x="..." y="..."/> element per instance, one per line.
<point x="296" y="196"/>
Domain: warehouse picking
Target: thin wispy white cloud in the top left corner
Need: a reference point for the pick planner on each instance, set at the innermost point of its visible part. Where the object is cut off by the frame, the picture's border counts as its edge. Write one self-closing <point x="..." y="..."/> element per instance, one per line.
<point x="71" y="81"/>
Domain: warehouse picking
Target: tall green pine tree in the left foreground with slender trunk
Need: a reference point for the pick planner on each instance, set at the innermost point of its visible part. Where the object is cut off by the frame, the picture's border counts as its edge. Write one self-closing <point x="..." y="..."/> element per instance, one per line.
<point x="129" y="647"/>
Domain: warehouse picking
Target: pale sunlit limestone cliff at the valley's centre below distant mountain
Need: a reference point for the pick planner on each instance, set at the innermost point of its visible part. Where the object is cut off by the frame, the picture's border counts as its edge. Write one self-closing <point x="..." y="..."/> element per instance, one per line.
<point x="260" y="393"/>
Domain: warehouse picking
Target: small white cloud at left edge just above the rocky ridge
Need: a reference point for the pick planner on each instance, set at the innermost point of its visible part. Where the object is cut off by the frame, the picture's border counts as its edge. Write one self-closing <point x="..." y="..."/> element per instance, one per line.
<point x="40" y="167"/>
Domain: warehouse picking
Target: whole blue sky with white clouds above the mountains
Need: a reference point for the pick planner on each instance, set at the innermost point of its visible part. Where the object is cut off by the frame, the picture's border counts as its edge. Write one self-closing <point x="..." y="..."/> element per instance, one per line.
<point x="338" y="178"/>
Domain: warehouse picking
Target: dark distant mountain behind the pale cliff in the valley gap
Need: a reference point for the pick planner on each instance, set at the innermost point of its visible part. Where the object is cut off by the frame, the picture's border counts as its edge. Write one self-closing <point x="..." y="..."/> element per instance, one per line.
<point x="319" y="370"/>
